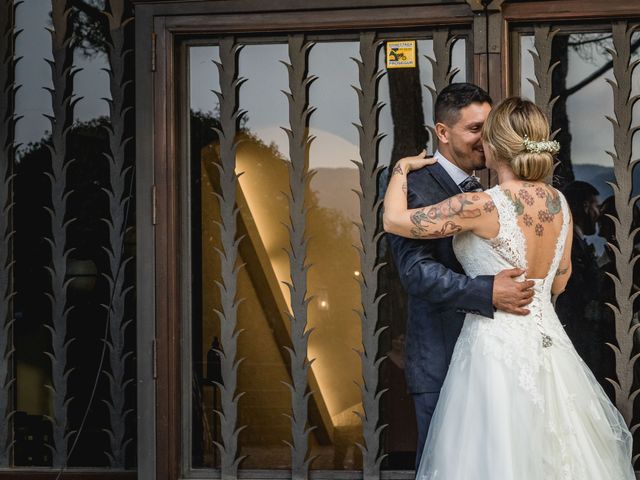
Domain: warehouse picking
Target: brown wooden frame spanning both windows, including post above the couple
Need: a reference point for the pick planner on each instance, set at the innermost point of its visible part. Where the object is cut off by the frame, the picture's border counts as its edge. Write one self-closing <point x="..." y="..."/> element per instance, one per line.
<point x="158" y="24"/>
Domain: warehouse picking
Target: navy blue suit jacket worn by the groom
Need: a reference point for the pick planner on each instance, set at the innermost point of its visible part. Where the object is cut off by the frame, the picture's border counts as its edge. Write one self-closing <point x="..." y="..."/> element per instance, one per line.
<point x="439" y="292"/>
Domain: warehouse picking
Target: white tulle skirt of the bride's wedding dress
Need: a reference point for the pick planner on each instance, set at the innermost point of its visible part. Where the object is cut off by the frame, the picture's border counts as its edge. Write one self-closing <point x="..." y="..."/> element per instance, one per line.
<point x="498" y="418"/>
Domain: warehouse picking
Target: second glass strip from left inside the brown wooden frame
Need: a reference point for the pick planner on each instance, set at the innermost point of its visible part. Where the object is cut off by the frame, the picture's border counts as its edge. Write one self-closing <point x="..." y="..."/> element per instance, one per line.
<point x="264" y="212"/>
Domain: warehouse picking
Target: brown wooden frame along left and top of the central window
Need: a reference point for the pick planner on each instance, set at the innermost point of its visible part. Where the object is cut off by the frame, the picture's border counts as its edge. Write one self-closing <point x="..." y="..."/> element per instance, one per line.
<point x="157" y="147"/>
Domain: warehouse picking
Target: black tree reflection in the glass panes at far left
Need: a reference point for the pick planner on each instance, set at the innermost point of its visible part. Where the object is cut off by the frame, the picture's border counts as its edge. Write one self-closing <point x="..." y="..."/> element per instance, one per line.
<point x="87" y="176"/>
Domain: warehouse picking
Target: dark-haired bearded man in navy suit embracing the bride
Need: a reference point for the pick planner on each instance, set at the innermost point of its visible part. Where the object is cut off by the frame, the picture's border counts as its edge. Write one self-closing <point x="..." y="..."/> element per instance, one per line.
<point x="439" y="292"/>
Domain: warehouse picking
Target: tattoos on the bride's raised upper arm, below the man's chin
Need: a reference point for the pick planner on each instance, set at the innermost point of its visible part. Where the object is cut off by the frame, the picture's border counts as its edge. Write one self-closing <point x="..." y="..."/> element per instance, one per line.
<point x="451" y="208"/>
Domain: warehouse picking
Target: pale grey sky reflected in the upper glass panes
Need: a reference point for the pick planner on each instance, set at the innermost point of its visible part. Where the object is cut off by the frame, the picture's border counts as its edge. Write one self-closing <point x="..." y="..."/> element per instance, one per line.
<point x="332" y="94"/>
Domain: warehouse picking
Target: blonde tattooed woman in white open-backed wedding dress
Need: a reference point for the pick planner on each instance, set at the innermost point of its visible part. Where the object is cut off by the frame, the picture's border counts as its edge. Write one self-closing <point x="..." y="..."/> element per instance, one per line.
<point x="518" y="403"/>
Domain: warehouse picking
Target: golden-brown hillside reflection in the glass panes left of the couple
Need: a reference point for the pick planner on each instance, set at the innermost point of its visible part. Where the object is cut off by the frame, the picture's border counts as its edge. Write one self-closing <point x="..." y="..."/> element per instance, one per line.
<point x="264" y="214"/>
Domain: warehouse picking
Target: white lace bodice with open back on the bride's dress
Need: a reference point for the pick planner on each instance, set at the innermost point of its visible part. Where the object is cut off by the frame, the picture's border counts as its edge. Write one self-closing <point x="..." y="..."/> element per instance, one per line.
<point x="517" y="341"/>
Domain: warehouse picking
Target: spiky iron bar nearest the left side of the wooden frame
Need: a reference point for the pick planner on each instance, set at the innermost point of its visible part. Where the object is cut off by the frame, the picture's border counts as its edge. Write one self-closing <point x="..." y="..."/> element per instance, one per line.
<point x="119" y="198"/>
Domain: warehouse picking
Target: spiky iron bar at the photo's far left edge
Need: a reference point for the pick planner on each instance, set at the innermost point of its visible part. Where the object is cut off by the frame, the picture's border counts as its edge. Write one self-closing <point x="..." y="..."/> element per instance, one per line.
<point x="7" y="152"/>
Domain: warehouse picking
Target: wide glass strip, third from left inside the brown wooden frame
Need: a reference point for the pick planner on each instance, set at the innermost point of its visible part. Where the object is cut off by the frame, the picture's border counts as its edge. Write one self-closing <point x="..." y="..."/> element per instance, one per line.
<point x="334" y="207"/>
